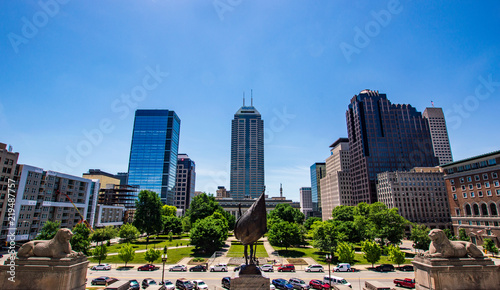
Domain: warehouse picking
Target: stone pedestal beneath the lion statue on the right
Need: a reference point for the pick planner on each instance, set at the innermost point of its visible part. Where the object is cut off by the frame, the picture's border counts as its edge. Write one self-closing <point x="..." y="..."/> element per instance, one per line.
<point x="456" y="274"/>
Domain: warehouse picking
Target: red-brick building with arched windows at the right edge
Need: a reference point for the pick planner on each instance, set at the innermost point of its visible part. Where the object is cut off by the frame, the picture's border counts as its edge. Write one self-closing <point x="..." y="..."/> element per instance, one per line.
<point x="473" y="187"/>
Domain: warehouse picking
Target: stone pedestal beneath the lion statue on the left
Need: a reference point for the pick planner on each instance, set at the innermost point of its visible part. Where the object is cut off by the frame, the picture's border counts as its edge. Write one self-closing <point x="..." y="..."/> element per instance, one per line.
<point x="45" y="273"/>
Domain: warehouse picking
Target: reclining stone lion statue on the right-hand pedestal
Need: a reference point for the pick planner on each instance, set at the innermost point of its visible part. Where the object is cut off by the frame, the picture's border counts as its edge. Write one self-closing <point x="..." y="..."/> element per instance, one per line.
<point x="442" y="247"/>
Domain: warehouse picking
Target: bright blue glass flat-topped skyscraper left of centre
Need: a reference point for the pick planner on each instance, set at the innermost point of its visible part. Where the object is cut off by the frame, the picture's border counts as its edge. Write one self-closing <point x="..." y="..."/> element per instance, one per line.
<point x="153" y="153"/>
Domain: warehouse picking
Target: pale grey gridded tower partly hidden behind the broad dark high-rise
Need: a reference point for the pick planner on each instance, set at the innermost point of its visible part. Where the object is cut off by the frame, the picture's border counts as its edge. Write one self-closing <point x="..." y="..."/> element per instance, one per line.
<point x="439" y="134"/>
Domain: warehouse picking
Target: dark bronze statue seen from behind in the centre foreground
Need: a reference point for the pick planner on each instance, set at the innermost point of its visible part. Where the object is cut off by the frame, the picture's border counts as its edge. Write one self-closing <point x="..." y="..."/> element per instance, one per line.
<point x="251" y="226"/>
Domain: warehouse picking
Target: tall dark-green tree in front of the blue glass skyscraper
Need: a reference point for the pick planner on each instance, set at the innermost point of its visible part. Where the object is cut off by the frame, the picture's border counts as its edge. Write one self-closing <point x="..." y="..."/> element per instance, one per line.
<point x="147" y="218"/>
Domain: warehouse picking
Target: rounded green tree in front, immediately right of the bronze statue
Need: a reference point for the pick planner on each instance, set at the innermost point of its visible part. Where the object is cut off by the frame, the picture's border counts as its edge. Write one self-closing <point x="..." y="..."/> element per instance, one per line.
<point x="284" y="234"/>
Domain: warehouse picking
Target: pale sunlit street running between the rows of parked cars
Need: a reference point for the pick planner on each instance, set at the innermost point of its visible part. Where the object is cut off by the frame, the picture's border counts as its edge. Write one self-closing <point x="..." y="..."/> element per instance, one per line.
<point x="213" y="279"/>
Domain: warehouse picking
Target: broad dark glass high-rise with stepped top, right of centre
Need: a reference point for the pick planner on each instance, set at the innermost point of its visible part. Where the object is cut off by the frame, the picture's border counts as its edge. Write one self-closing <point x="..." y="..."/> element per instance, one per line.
<point x="384" y="137"/>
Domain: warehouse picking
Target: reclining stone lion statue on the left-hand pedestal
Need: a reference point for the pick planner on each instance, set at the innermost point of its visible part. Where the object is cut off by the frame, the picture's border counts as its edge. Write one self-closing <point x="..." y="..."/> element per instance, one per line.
<point x="58" y="247"/>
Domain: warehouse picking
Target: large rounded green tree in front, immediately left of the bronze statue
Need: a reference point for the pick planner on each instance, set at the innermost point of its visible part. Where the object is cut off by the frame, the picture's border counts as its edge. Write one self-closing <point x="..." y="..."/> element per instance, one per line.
<point x="208" y="234"/>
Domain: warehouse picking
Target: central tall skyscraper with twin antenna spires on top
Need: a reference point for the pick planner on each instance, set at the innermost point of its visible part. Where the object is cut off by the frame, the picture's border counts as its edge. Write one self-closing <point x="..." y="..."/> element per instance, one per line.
<point x="247" y="153"/>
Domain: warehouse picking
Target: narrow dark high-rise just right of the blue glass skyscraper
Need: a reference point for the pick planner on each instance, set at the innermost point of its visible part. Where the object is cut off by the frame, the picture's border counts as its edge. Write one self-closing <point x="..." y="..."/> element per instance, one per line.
<point x="184" y="187"/>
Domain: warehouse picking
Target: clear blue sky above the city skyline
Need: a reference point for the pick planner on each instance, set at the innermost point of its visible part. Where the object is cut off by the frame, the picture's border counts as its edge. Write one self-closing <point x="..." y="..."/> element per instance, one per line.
<point x="73" y="72"/>
